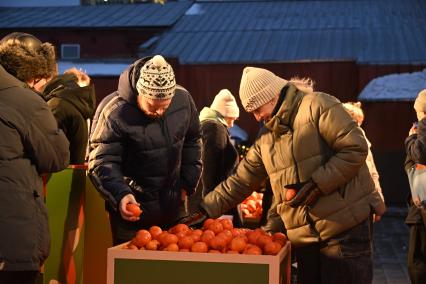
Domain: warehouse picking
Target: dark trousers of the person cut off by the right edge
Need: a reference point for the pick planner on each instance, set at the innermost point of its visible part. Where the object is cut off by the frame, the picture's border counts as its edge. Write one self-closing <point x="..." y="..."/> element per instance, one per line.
<point x="417" y="254"/>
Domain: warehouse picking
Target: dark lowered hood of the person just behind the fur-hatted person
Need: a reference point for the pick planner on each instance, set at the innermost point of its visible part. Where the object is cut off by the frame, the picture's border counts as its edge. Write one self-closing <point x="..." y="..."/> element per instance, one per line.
<point x="65" y="87"/>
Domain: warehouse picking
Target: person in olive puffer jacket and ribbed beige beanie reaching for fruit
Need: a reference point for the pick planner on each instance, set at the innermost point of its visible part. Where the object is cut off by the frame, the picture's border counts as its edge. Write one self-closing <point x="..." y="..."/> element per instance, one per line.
<point x="310" y="145"/>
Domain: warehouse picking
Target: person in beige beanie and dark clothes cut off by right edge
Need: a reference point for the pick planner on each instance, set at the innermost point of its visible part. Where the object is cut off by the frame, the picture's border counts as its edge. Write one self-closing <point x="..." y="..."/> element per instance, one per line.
<point x="415" y="147"/>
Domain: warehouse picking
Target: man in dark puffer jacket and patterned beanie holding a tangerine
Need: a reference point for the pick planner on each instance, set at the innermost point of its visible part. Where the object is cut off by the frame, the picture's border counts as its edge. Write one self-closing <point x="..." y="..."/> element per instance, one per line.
<point x="149" y="134"/>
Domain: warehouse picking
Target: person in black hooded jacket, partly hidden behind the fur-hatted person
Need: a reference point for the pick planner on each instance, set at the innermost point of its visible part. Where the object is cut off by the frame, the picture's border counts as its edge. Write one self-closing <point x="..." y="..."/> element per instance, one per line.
<point x="71" y="97"/>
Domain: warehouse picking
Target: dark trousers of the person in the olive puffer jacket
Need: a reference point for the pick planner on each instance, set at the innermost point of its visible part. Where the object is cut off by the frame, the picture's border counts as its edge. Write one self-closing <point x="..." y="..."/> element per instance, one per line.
<point x="345" y="258"/>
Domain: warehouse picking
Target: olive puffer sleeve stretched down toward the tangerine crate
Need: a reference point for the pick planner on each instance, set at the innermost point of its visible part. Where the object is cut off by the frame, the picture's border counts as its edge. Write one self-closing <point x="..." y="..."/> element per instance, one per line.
<point x="248" y="177"/>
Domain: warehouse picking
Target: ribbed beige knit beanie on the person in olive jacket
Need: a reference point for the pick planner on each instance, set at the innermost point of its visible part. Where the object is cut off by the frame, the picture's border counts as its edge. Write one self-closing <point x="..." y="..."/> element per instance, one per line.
<point x="259" y="86"/>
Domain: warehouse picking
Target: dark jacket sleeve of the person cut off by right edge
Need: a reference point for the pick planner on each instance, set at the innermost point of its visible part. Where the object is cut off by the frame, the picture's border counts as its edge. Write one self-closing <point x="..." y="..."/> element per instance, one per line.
<point x="415" y="144"/>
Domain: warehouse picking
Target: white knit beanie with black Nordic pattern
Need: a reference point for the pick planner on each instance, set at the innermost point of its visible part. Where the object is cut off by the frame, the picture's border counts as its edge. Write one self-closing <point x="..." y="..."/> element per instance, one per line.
<point x="157" y="79"/>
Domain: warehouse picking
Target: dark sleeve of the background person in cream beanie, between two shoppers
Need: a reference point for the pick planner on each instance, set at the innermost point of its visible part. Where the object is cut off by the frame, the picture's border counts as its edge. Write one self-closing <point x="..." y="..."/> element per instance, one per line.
<point x="214" y="143"/>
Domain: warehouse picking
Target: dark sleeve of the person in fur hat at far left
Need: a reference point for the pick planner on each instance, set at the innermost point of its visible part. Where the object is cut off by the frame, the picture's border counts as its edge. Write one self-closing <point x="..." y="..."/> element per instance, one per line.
<point x="45" y="143"/>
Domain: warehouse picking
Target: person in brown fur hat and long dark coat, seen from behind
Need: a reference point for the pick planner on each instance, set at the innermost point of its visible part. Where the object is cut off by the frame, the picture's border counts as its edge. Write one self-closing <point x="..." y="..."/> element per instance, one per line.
<point x="31" y="144"/>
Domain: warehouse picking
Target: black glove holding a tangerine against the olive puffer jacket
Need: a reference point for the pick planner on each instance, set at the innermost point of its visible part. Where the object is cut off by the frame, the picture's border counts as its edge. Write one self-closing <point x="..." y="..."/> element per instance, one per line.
<point x="307" y="194"/>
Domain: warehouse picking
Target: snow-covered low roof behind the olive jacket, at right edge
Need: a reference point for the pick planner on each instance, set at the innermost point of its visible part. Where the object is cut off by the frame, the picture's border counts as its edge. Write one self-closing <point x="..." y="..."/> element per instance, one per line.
<point x="394" y="87"/>
